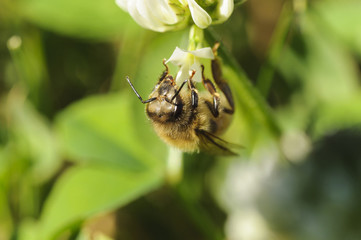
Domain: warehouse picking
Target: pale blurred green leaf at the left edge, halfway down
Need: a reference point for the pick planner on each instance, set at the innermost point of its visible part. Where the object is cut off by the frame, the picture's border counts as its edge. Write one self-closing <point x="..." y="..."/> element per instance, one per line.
<point x="30" y="138"/>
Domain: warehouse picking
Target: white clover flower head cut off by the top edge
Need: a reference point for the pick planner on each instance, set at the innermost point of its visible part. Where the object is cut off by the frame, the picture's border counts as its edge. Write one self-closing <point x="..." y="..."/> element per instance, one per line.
<point x="164" y="15"/>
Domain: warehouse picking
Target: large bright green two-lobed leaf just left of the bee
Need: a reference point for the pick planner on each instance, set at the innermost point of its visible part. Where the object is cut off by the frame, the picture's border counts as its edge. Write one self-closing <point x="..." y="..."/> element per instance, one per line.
<point x="105" y="132"/>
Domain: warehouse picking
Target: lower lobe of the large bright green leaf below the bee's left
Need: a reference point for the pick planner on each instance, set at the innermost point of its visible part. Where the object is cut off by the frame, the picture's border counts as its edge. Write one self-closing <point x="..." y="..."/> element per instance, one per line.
<point x="84" y="191"/>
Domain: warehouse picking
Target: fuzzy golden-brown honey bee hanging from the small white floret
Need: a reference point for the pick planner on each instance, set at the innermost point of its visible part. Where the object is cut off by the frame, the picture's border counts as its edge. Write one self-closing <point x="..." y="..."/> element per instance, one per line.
<point x="187" y="119"/>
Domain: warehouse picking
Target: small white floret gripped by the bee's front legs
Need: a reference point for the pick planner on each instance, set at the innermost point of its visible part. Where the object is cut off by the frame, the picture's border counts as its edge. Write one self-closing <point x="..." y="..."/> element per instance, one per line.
<point x="188" y="61"/>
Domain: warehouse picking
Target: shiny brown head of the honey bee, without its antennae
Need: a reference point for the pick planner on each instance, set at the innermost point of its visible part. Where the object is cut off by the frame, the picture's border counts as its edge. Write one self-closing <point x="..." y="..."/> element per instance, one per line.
<point x="167" y="104"/>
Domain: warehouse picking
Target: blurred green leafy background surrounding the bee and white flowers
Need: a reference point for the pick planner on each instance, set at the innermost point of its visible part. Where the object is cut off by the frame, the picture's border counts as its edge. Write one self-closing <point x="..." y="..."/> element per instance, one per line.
<point x="79" y="159"/>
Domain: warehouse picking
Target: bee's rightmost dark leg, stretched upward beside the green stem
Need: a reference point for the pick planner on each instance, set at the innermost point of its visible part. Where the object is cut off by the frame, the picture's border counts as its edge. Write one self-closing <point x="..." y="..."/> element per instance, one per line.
<point x="220" y="81"/>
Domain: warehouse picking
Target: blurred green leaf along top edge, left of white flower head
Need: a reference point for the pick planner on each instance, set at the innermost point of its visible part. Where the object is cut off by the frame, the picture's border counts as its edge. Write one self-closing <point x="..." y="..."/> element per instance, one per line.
<point x="81" y="18"/>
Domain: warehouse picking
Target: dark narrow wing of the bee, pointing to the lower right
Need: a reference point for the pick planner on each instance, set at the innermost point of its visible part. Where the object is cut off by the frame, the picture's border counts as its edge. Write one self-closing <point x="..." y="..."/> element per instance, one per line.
<point x="215" y="145"/>
